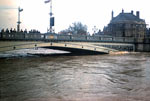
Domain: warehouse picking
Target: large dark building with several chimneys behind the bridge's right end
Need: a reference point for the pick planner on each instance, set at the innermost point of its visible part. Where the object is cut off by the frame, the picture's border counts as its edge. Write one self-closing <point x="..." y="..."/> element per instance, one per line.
<point x="126" y="25"/>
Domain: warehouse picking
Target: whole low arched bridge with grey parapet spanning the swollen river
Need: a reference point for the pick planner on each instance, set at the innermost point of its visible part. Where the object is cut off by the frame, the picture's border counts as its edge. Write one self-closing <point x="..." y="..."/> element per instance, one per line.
<point x="73" y="43"/>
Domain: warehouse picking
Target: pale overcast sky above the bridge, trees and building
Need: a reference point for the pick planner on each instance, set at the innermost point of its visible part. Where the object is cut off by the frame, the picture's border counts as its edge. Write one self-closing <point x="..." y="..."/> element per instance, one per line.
<point x="90" y="12"/>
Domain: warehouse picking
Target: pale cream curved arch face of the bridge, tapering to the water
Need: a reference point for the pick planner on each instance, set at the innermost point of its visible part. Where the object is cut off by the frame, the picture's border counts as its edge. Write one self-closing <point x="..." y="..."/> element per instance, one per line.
<point x="13" y="45"/>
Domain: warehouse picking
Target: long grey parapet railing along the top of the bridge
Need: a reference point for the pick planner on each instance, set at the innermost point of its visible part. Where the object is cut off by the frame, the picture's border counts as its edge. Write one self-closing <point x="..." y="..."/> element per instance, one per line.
<point x="57" y="37"/>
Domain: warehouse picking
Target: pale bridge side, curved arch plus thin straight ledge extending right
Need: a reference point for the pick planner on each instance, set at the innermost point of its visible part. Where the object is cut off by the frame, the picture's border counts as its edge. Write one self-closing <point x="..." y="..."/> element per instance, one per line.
<point x="86" y="46"/>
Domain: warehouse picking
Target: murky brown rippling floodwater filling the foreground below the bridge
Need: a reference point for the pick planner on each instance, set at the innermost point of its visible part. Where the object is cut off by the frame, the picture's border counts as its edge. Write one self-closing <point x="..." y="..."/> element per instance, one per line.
<point x="121" y="77"/>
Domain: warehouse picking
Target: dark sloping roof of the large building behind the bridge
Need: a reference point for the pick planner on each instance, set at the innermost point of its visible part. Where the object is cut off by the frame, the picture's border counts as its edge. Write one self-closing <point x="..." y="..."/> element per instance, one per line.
<point x="127" y="18"/>
